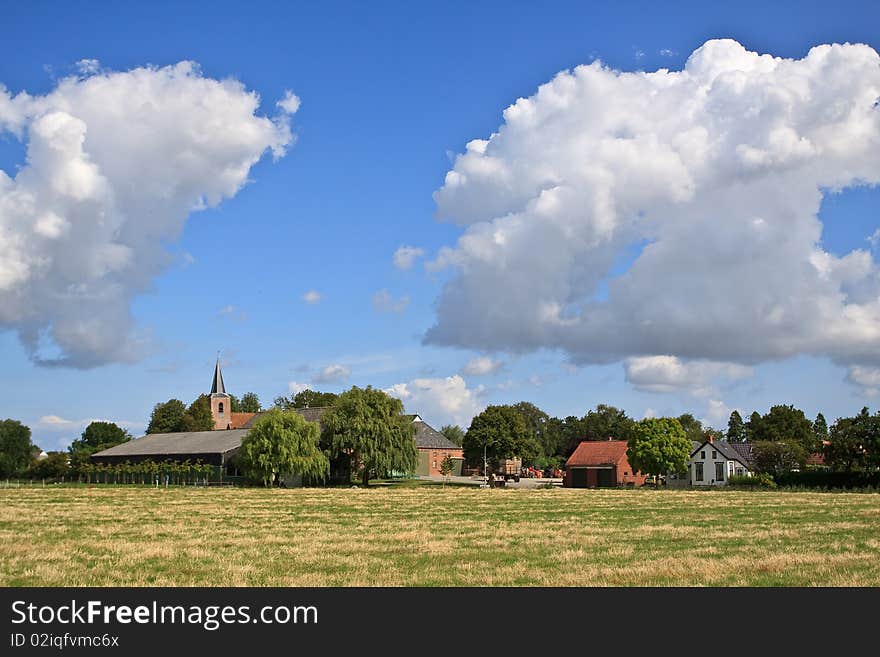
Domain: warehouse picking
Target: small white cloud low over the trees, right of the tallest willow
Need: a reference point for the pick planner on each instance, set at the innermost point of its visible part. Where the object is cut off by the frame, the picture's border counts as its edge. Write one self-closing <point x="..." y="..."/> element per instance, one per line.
<point x="440" y="401"/>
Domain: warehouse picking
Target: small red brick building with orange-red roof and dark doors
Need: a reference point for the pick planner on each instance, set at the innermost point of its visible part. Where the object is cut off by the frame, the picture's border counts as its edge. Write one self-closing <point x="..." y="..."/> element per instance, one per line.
<point x="600" y="463"/>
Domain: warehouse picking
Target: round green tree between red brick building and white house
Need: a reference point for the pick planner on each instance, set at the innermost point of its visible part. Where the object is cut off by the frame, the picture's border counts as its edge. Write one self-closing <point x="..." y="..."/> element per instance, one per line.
<point x="659" y="446"/>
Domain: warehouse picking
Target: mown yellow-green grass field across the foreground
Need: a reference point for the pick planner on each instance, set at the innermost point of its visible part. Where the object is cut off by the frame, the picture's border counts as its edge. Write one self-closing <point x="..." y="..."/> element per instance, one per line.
<point x="434" y="536"/>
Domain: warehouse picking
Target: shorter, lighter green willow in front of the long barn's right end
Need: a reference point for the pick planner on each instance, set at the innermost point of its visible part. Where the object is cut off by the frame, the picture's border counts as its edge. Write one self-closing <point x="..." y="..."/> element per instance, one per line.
<point x="282" y="443"/>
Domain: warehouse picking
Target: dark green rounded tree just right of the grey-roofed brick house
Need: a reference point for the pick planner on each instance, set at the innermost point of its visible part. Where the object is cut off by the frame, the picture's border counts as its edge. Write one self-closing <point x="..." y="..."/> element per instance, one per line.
<point x="502" y="431"/>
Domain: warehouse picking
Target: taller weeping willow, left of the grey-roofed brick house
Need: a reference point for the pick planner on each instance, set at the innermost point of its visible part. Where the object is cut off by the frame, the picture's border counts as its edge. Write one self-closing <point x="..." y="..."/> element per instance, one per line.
<point x="367" y="427"/>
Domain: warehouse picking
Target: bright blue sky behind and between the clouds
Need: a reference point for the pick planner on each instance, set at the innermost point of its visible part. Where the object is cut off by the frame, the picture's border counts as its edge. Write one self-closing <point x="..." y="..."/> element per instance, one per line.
<point x="390" y="93"/>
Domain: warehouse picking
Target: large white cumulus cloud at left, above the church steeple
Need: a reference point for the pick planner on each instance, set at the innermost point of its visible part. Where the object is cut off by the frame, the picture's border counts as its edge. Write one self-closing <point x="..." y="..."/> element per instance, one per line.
<point x="116" y="162"/>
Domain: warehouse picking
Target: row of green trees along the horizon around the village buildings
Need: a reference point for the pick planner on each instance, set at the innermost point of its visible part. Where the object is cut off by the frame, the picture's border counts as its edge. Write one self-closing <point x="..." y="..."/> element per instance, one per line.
<point x="365" y="434"/>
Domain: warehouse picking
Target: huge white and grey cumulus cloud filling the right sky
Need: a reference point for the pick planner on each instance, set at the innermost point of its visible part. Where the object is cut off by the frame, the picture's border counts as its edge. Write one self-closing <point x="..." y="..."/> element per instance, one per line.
<point x="669" y="214"/>
